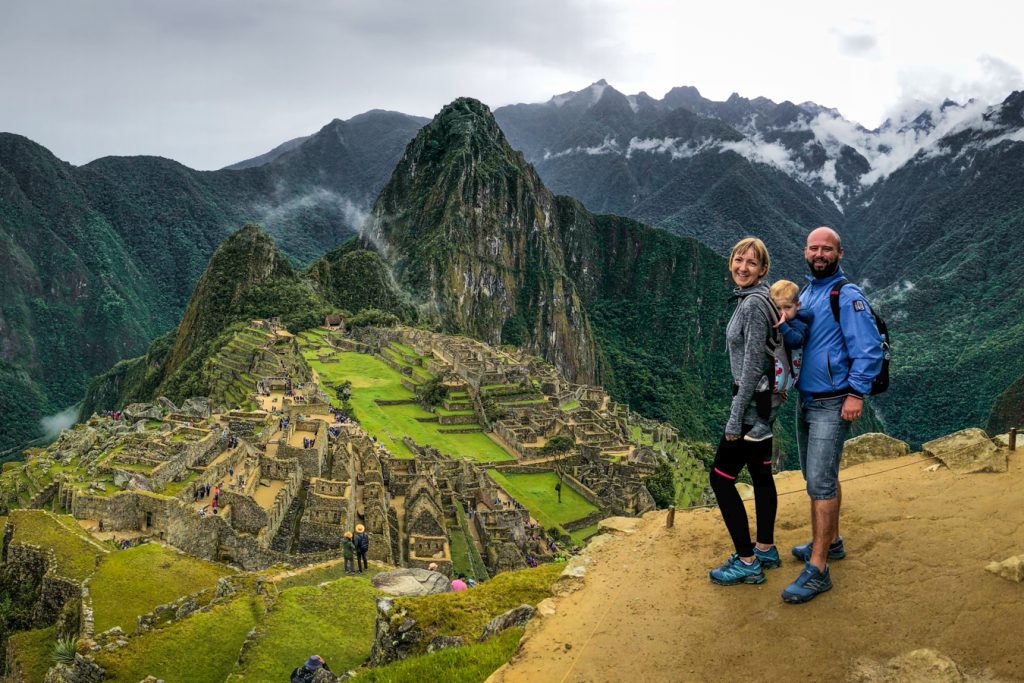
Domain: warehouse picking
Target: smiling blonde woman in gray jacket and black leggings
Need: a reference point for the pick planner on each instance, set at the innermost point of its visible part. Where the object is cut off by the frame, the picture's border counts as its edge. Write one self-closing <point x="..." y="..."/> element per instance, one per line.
<point x="747" y="340"/>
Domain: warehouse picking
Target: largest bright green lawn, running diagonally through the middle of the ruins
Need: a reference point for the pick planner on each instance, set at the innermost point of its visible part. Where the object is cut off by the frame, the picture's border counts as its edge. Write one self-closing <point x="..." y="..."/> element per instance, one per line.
<point x="373" y="379"/>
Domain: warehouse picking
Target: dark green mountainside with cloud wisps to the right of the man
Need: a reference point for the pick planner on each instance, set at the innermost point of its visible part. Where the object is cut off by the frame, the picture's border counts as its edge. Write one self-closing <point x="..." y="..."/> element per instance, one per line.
<point x="935" y="242"/>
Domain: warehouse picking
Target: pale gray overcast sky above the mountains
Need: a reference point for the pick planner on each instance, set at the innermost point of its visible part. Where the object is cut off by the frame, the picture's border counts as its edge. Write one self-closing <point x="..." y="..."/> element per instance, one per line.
<point x="212" y="82"/>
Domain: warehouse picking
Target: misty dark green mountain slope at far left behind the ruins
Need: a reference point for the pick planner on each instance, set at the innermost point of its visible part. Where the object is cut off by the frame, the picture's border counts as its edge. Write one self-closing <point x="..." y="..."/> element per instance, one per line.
<point x="99" y="261"/>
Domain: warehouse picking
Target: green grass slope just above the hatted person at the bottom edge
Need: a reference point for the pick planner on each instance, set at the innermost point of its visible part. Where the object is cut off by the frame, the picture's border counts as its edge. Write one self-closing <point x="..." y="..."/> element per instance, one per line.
<point x="335" y="621"/>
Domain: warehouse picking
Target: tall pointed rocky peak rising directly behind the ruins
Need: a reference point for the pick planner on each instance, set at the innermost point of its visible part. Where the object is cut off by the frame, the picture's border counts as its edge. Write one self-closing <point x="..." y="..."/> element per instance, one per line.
<point x="472" y="233"/>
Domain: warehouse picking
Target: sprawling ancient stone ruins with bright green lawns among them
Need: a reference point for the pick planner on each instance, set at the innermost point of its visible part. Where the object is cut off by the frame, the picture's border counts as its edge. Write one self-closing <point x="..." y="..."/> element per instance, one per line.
<point x="509" y="467"/>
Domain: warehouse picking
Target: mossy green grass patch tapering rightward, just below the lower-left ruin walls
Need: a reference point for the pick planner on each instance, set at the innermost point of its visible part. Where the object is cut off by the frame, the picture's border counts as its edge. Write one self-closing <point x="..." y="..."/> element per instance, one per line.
<point x="133" y="582"/>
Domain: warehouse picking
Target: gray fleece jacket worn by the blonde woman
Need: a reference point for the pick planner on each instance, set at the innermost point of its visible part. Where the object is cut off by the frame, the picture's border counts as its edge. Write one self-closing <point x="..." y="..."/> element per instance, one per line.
<point x="747" y="339"/>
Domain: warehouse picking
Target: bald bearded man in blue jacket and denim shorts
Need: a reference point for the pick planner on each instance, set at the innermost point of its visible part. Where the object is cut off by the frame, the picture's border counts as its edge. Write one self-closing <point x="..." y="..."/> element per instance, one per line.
<point x="842" y="358"/>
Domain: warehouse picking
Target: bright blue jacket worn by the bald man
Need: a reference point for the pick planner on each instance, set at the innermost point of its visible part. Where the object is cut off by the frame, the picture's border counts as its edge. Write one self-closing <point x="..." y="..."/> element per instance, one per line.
<point x="844" y="357"/>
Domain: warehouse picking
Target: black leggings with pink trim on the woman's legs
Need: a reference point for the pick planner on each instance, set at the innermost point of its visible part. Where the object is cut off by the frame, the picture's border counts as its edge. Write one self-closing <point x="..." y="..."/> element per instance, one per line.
<point x="730" y="460"/>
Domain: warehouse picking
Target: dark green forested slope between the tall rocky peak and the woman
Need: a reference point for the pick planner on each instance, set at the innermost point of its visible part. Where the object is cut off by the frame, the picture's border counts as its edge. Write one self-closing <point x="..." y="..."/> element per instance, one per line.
<point x="658" y="307"/>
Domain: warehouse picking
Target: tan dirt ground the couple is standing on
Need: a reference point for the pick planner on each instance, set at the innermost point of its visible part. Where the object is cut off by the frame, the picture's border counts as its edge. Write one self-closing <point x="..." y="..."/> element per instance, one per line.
<point x="918" y="543"/>
